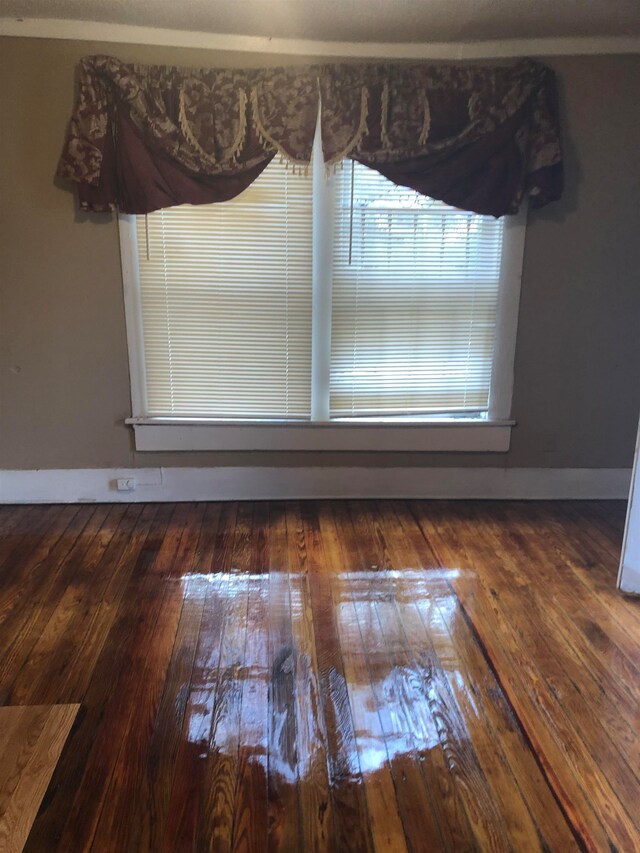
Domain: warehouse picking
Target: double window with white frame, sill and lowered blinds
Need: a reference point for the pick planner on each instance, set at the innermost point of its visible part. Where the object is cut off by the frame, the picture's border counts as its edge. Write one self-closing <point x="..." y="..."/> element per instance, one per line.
<point x="323" y="303"/>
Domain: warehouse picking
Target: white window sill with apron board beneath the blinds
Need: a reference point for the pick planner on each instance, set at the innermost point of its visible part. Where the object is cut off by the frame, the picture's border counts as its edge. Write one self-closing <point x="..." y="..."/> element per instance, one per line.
<point x="441" y="435"/>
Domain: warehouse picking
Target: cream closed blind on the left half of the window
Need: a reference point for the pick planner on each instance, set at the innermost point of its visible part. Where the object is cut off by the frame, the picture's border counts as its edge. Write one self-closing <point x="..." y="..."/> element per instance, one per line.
<point x="225" y="292"/>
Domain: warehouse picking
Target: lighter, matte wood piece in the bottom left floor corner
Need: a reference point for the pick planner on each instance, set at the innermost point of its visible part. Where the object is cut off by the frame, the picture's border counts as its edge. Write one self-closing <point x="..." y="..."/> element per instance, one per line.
<point x="33" y="740"/>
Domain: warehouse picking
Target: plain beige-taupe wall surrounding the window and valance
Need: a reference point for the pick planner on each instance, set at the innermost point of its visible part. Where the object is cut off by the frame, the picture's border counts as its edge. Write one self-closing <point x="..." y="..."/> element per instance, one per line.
<point x="64" y="381"/>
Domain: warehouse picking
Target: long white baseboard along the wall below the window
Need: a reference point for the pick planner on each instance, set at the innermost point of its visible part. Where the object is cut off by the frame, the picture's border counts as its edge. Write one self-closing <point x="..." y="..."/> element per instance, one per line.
<point x="82" y="485"/>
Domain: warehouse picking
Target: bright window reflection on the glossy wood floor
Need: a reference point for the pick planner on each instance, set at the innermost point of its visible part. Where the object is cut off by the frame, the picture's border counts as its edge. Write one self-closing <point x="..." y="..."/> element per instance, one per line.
<point x="389" y="701"/>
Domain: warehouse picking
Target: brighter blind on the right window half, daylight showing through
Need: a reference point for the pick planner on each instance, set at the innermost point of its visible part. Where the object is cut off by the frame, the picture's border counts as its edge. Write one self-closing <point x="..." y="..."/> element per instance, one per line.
<point x="414" y="312"/>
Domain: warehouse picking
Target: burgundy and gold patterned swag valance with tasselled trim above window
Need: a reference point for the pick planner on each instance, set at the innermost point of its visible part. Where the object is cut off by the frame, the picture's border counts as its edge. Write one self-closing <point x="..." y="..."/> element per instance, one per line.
<point x="479" y="138"/>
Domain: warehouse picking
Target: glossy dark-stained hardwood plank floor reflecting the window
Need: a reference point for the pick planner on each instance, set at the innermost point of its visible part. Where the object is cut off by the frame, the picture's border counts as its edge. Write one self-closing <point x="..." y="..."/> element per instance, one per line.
<point x="374" y="675"/>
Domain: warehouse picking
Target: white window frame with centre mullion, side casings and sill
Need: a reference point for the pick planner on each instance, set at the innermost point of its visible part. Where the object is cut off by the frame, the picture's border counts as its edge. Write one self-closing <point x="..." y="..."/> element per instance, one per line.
<point x="490" y="433"/>
